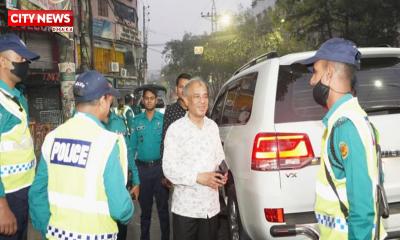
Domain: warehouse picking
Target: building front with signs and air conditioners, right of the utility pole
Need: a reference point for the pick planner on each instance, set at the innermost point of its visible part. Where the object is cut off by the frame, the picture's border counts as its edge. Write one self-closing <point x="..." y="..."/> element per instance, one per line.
<point x="116" y="44"/>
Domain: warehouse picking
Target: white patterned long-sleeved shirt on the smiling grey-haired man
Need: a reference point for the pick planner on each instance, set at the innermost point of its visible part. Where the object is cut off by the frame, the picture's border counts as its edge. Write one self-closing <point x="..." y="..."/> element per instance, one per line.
<point x="188" y="151"/>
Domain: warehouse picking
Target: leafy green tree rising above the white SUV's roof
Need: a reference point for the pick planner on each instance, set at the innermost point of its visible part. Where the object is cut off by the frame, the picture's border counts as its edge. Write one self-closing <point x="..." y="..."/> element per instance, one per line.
<point x="291" y="26"/>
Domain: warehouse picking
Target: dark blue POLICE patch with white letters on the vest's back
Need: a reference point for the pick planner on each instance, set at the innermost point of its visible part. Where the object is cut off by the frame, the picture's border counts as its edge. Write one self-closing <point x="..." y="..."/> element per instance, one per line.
<point x="70" y="152"/>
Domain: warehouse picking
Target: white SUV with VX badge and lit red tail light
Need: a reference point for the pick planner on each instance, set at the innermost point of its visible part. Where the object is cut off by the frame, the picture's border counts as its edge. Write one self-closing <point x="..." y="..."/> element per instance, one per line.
<point x="271" y="131"/>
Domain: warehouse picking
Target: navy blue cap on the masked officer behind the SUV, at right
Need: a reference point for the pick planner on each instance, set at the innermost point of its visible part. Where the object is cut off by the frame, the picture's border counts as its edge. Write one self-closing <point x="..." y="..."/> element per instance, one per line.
<point x="337" y="50"/>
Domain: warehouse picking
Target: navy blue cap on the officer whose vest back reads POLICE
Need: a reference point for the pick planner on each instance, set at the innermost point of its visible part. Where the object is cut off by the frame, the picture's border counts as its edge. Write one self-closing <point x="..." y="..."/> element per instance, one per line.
<point x="92" y="85"/>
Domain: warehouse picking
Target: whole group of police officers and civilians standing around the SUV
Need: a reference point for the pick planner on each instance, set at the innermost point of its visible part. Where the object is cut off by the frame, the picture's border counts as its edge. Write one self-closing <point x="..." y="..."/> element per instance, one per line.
<point x="94" y="164"/>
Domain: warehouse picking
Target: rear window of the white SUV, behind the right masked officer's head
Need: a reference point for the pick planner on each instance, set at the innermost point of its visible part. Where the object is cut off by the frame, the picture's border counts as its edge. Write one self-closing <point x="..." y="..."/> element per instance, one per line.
<point x="377" y="89"/>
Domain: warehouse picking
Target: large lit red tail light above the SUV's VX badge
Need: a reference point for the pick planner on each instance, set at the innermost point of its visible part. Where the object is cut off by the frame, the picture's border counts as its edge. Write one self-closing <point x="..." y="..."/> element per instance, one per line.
<point x="276" y="151"/>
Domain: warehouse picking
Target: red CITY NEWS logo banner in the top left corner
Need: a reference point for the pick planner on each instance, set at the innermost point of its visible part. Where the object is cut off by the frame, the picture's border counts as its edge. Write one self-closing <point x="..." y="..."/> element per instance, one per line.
<point x="57" y="20"/>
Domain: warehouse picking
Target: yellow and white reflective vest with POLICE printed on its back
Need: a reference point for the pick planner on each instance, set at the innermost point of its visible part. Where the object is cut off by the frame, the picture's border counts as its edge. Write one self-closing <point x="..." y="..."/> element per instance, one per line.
<point x="76" y="154"/>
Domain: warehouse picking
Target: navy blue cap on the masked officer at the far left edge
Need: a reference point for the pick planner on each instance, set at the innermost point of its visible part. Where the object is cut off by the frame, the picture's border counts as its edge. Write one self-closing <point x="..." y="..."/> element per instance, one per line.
<point x="10" y="41"/>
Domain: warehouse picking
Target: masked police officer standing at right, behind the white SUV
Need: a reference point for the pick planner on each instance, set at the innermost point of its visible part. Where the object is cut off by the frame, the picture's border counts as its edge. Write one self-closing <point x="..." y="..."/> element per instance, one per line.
<point x="345" y="204"/>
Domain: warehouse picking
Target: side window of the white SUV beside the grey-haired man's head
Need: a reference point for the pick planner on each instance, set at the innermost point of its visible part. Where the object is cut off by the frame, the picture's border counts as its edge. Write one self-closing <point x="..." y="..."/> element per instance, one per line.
<point x="239" y="101"/>
